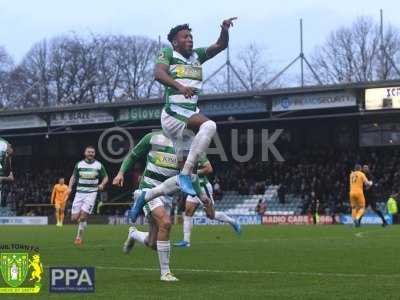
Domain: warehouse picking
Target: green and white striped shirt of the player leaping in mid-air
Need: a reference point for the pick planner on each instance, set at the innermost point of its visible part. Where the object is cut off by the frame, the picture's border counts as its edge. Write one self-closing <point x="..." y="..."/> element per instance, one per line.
<point x="188" y="72"/>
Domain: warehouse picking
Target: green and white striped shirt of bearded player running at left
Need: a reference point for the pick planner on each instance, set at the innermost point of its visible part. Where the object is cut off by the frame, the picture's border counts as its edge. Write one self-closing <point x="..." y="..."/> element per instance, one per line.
<point x="88" y="175"/>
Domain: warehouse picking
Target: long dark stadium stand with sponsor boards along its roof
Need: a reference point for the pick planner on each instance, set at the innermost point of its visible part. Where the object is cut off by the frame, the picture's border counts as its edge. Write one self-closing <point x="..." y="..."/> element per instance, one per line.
<point x="325" y="130"/>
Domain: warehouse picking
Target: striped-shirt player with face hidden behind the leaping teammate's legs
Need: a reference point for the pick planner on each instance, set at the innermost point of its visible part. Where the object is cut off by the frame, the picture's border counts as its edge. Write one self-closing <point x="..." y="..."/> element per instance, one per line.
<point x="161" y="165"/>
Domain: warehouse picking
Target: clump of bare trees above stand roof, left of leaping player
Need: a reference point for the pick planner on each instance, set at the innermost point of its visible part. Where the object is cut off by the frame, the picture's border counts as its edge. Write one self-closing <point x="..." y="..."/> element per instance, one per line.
<point x="71" y="70"/>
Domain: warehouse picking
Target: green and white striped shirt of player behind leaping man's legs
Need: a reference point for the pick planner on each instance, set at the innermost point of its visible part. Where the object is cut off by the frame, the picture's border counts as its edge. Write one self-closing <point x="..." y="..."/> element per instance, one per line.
<point x="161" y="163"/>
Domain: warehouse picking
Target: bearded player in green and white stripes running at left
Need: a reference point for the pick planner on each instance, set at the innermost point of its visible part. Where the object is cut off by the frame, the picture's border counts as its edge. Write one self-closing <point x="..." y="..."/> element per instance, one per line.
<point x="87" y="175"/>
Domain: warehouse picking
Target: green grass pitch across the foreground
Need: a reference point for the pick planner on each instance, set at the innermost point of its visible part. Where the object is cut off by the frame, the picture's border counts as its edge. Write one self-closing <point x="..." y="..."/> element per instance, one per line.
<point x="278" y="262"/>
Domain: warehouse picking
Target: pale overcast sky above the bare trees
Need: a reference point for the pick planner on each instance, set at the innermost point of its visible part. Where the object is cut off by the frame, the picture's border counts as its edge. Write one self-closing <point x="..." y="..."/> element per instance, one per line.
<point x="271" y="24"/>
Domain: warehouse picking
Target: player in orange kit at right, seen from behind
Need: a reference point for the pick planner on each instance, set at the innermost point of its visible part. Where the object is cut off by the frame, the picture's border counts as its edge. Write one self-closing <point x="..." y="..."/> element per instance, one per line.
<point x="357" y="199"/>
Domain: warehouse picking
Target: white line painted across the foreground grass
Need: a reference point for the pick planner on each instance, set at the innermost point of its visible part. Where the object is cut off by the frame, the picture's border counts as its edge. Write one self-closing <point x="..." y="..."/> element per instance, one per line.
<point x="318" y="274"/>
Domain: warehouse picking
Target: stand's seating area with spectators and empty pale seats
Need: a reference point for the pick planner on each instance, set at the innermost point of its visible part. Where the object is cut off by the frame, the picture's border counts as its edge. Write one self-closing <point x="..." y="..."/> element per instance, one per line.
<point x="286" y="187"/>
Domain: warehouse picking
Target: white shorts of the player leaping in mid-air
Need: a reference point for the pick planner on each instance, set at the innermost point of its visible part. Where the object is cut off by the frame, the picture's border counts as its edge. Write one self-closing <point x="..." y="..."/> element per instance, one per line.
<point x="177" y="132"/>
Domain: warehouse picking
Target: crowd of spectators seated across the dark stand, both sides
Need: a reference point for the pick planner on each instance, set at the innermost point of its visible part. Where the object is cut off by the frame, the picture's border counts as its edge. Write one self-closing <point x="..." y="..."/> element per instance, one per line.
<point x="323" y="172"/>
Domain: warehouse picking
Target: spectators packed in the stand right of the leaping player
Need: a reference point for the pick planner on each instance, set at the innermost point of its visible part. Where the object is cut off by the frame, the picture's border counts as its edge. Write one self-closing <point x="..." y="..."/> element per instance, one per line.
<point x="323" y="172"/>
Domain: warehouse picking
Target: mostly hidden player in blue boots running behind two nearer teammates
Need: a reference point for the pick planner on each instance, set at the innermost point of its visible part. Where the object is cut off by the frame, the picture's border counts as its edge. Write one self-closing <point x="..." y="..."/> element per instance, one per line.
<point x="192" y="203"/>
